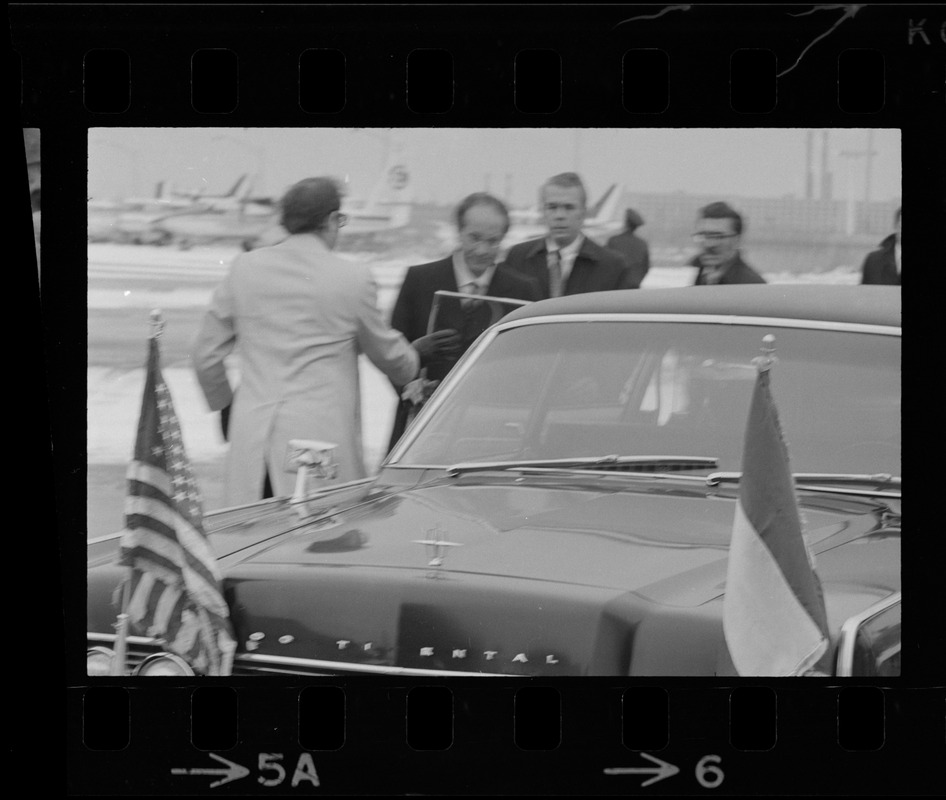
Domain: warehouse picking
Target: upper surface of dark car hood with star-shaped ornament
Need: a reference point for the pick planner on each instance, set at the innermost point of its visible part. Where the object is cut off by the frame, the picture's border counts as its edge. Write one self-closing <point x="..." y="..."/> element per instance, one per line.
<point x="627" y="539"/>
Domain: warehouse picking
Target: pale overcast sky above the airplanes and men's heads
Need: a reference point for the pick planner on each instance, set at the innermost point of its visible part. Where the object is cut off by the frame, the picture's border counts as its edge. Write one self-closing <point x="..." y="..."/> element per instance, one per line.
<point x="448" y="163"/>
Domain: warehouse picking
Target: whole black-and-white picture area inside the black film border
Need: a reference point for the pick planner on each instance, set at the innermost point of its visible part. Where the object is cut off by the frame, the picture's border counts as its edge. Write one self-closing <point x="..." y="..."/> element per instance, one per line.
<point x="476" y="402"/>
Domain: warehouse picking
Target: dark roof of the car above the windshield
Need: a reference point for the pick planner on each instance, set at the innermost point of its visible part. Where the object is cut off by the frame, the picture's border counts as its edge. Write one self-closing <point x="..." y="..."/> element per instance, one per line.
<point x="868" y="305"/>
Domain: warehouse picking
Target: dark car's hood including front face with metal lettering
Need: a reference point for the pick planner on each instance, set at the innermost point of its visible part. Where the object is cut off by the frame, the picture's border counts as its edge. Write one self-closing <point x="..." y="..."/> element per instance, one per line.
<point x="538" y="575"/>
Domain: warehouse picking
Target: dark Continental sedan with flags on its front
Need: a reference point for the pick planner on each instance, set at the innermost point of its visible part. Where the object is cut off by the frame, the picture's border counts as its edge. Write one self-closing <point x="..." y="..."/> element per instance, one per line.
<point x="563" y="504"/>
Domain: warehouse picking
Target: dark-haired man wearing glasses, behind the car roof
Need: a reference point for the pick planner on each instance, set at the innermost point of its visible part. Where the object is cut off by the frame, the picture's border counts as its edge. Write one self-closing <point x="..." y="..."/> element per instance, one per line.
<point x="718" y="235"/>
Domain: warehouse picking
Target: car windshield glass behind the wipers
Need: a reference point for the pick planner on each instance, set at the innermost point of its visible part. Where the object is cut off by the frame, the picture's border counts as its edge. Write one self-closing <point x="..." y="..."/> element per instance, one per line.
<point x="572" y="389"/>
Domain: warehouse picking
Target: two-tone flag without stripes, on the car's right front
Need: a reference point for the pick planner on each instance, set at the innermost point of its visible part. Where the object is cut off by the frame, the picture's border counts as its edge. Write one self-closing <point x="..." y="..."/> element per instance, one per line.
<point x="773" y="612"/>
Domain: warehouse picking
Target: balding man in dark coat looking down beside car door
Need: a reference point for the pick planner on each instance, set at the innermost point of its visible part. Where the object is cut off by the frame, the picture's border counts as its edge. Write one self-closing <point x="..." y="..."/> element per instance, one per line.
<point x="482" y="222"/>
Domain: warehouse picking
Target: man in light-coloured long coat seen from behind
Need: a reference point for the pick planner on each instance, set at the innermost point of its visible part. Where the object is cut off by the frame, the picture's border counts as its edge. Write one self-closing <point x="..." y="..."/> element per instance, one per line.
<point x="299" y="317"/>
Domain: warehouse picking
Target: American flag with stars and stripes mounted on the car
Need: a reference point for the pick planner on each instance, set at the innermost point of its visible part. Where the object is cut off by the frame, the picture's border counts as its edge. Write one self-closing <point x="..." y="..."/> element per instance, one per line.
<point x="174" y="590"/>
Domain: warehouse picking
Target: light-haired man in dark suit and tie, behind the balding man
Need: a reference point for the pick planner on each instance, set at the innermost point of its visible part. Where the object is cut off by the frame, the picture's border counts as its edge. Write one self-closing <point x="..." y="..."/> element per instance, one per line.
<point x="565" y="261"/>
